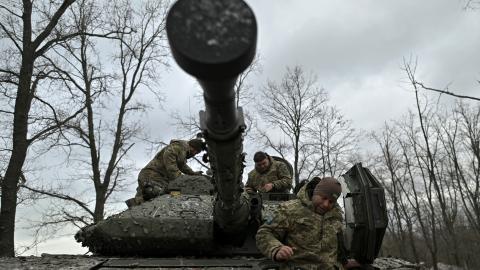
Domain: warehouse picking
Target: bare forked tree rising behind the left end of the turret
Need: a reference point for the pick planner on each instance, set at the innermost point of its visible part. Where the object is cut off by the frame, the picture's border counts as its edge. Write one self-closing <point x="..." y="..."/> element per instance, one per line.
<point x="100" y="139"/>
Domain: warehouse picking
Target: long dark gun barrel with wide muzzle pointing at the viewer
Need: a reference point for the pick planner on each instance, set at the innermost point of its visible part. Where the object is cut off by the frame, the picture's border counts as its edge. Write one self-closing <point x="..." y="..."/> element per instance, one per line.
<point x="215" y="41"/>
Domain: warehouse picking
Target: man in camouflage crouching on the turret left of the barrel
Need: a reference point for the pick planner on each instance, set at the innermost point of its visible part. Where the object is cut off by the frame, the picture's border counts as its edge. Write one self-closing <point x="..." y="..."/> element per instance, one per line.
<point x="167" y="165"/>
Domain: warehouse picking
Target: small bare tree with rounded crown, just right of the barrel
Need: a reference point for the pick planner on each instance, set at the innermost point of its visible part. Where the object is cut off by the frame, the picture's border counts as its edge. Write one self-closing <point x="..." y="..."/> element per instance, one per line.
<point x="290" y="106"/>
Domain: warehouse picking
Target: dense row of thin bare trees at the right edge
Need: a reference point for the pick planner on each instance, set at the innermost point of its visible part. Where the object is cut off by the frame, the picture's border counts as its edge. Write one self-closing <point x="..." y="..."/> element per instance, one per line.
<point x="430" y="166"/>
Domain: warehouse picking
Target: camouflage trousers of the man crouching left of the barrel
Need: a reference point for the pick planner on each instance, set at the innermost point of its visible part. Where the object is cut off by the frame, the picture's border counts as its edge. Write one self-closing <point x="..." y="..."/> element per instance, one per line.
<point x="150" y="185"/>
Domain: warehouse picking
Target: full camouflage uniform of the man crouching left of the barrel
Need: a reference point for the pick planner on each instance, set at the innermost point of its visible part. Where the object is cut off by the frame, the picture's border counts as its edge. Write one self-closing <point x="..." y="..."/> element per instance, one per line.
<point x="167" y="165"/>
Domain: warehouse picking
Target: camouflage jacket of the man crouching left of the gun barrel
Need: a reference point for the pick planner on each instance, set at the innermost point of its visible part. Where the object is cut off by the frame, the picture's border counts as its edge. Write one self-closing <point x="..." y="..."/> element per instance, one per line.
<point x="171" y="161"/>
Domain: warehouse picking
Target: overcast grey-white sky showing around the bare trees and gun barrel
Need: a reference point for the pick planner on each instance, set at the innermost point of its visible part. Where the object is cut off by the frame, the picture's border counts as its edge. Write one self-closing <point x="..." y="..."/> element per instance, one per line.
<point x="357" y="49"/>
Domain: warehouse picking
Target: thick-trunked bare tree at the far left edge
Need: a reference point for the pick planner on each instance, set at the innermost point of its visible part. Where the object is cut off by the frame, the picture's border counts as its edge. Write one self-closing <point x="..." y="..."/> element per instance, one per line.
<point x="26" y="44"/>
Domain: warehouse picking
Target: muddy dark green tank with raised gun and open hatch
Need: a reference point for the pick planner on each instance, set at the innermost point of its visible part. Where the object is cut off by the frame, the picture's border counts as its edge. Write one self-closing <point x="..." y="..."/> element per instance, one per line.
<point x="209" y="221"/>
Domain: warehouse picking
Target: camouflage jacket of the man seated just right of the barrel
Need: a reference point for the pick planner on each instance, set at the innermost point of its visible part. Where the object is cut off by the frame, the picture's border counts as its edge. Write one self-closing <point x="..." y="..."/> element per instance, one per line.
<point x="277" y="174"/>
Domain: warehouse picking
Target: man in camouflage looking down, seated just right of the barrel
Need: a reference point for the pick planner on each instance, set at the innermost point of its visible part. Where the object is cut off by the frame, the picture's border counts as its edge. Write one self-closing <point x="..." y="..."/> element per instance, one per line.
<point x="269" y="175"/>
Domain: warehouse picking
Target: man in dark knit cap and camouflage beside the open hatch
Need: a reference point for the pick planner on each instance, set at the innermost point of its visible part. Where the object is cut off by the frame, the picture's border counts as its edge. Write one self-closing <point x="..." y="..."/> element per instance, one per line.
<point x="304" y="234"/>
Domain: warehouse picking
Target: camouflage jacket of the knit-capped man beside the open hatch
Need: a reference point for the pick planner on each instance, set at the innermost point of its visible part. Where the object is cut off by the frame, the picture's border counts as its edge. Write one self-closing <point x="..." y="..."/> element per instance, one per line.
<point x="312" y="236"/>
